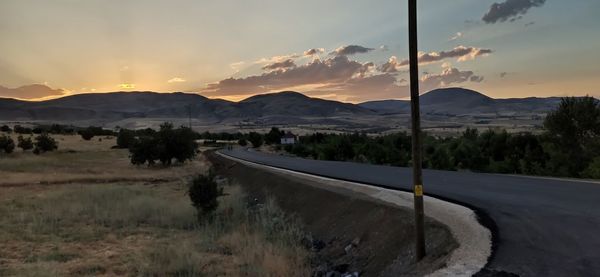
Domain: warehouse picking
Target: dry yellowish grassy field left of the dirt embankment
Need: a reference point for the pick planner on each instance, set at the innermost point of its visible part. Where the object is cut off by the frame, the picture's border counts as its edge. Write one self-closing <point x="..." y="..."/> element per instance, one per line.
<point x="84" y="210"/>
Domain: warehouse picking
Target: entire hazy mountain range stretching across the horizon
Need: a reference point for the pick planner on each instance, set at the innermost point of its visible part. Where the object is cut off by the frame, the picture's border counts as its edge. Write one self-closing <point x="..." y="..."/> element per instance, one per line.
<point x="286" y="106"/>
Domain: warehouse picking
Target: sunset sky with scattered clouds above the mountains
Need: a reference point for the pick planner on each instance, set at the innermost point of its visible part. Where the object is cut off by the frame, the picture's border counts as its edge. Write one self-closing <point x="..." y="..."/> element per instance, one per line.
<point x="342" y="50"/>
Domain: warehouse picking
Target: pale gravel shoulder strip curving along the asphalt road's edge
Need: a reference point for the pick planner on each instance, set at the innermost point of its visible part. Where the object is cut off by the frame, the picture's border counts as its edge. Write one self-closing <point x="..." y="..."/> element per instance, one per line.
<point x="475" y="241"/>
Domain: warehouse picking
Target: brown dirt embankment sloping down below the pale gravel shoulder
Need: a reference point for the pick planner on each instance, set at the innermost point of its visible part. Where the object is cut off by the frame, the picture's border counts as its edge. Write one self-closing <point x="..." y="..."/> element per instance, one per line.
<point x="350" y="232"/>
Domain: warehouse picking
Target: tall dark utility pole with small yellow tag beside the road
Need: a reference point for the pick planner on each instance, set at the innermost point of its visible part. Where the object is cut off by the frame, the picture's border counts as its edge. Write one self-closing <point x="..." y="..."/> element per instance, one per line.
<point x="416" y="130"/>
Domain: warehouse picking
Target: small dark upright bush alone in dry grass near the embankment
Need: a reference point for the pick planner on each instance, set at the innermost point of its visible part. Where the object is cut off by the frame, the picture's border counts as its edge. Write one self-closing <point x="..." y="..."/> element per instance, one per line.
<point x="204" y="192"/>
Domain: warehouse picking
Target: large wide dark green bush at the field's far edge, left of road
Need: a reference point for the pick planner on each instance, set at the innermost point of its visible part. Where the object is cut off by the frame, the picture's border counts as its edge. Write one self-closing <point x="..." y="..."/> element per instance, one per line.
<point x="165" y="145"/>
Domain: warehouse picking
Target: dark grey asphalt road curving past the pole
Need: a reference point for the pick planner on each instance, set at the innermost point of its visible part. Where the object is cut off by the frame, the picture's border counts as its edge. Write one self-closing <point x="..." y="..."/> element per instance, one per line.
<point x="545" y="226"/>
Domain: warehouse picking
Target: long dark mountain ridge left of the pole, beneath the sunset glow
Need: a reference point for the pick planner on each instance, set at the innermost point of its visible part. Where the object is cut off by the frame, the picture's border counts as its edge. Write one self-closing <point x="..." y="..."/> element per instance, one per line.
<point x="121" y="105"/>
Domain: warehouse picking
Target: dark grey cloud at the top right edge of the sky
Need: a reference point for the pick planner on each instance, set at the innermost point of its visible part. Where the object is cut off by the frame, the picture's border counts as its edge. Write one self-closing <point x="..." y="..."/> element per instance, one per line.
<point x="510" y="10"/>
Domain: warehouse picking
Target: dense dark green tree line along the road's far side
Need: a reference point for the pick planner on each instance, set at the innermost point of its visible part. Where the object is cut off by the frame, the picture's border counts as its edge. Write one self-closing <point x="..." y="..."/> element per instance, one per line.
<point x="569" y="146"/>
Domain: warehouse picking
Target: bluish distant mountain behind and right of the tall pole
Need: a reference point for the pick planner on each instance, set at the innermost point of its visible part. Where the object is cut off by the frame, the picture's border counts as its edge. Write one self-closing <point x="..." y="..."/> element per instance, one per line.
<point x="459" y="101"/>
